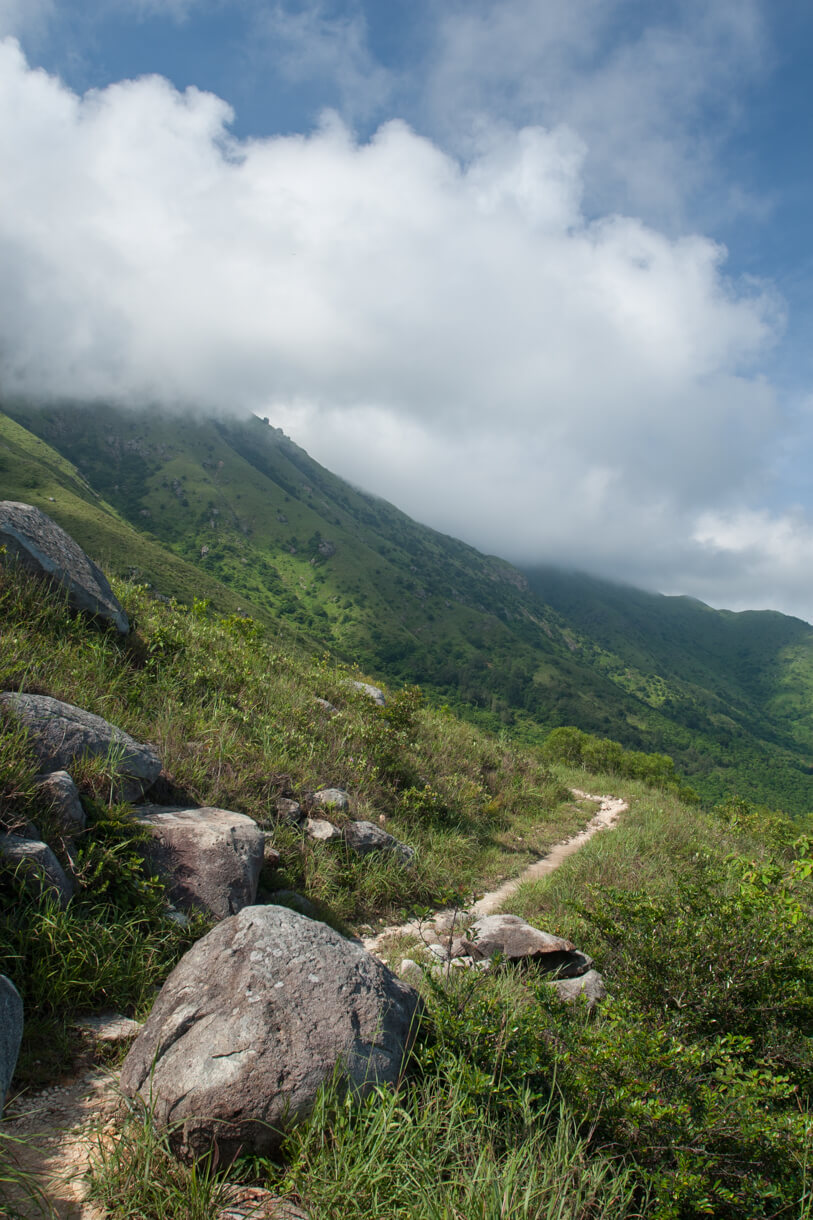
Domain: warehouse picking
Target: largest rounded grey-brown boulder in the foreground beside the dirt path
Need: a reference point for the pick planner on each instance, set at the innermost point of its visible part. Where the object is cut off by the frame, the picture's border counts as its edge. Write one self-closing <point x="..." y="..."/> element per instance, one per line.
<point x="255" y="1019"/>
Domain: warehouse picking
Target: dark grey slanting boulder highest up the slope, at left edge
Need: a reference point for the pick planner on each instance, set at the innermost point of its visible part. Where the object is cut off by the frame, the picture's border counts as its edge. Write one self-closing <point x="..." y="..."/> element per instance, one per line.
<point x="41" y="546"/>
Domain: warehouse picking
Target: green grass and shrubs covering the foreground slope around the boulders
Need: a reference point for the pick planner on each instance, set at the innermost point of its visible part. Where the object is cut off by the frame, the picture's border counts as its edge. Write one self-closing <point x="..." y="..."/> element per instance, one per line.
<point x="685" y="1095"/>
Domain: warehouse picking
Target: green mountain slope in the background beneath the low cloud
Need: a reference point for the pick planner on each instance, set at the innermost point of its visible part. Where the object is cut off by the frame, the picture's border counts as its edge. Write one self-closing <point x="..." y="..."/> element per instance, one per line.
<point x="233" y="511"/>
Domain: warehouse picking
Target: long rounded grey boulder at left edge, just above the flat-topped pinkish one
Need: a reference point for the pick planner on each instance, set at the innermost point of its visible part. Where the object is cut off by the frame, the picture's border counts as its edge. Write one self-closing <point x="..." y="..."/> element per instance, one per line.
<point x="60" y="735"/>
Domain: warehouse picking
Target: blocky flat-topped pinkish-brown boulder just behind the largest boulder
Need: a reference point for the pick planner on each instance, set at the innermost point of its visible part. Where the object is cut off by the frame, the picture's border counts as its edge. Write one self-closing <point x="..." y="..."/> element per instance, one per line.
<point x="209" y="858"/>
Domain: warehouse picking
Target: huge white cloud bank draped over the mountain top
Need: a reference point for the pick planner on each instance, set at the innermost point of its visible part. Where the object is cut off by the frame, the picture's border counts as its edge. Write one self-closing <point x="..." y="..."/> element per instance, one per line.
<point x="456" y="331"/>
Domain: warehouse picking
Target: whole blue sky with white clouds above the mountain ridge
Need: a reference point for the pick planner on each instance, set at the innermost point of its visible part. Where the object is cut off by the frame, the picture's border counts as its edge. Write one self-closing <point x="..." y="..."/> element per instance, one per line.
<point x="538" y="273"/>
